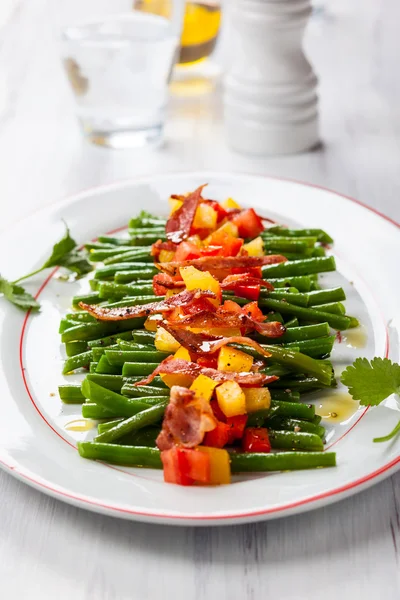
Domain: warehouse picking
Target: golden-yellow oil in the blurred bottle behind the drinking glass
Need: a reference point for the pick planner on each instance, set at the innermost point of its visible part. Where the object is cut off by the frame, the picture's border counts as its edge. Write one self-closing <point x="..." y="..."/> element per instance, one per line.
<point x="200" y="27"/>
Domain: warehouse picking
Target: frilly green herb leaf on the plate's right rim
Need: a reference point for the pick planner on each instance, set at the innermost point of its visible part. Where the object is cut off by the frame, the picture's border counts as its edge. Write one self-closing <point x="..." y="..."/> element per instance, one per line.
<point x="372" y="382"/>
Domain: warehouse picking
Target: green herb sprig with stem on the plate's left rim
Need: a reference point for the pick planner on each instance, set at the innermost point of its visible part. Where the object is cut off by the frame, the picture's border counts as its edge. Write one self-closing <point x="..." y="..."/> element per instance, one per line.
<point x="64" y="254"/>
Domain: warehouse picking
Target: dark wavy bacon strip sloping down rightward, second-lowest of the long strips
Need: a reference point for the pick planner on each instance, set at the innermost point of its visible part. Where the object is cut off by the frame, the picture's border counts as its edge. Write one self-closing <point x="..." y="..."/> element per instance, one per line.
<point x="201" y="343"/>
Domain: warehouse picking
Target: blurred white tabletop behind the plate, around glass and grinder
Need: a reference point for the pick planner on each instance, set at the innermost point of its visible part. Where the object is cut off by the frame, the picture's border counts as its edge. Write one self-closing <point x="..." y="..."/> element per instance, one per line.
<point x="353" y="47"/>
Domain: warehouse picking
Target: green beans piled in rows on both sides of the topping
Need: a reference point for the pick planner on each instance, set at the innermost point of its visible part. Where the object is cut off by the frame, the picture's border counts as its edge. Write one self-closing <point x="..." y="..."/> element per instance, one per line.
<point x="117" y="355"/>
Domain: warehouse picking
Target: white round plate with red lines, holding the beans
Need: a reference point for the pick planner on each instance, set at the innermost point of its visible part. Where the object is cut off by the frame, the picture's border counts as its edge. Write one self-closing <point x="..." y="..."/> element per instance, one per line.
<point x="36" y="447"/>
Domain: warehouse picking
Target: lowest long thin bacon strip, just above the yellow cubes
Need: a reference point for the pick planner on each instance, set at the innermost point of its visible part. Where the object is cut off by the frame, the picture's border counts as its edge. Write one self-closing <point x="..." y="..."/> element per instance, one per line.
<point x="172" y="365"/>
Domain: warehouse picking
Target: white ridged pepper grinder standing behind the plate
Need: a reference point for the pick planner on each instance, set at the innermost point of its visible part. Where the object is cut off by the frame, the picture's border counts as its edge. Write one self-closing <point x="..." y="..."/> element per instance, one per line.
<point x="270" y="99"/>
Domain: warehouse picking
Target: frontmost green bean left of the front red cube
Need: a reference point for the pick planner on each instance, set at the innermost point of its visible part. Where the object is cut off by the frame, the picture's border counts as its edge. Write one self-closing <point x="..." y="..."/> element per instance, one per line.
<point x="129" y="456"/>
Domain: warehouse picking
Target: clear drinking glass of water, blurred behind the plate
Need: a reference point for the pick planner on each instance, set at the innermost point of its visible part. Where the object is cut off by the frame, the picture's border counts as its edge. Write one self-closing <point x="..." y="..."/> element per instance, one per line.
<point x="119" y="69"/>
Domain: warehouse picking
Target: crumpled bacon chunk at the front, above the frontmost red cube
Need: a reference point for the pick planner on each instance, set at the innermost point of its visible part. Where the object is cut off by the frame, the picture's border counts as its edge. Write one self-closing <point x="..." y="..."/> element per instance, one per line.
<point x="186" y="420"/>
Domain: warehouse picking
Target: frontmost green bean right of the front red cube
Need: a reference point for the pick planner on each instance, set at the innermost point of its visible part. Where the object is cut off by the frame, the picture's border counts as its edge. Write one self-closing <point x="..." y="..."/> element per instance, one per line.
<point x="281" y="461"/>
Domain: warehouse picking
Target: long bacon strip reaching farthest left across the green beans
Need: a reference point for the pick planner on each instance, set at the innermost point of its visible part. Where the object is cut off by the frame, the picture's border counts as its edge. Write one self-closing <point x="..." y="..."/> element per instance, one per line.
<point x="130" y="312"/>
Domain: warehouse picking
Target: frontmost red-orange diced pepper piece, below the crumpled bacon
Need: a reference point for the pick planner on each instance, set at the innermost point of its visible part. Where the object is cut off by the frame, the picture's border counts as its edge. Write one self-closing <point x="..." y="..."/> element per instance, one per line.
<point x="185" y="466"/>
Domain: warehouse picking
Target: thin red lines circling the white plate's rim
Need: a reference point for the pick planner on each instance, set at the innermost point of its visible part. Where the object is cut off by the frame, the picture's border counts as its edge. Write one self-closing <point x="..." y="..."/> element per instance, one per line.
<point x="77" y="499"/>
